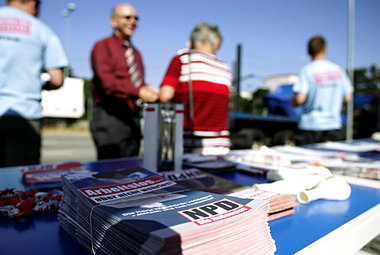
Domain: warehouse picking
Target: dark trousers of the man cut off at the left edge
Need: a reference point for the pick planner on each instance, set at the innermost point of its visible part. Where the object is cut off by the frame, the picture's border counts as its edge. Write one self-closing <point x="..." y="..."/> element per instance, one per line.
<point x="20" y="141"/>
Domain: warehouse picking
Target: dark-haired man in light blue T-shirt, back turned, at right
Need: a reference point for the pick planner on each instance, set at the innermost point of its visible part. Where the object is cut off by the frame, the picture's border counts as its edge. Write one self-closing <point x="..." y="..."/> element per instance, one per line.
<point x="322" y="88"/>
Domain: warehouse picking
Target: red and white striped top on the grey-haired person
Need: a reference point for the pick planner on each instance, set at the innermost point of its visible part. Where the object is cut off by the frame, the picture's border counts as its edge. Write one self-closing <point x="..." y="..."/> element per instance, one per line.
<point x="211" y="81"/>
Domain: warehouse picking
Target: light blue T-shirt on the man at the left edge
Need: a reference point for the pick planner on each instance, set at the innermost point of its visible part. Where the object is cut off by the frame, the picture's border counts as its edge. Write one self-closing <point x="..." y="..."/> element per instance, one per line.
<point x="27" y="47"/>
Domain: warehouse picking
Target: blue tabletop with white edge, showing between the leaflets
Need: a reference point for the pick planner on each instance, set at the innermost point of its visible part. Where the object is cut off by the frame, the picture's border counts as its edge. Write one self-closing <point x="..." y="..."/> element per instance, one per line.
<point x="321" y="227"/>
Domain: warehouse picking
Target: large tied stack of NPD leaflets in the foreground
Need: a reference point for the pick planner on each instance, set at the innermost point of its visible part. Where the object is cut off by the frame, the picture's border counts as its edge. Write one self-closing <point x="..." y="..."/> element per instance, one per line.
<point x="135" y="211"/>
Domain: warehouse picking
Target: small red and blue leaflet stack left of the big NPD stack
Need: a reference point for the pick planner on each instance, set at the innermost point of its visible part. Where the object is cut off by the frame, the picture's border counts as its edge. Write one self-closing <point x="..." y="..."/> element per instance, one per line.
<point x="48" y="176"/>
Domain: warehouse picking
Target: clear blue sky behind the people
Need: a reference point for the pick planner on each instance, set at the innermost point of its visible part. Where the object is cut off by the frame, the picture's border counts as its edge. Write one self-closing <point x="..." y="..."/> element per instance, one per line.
<point x="273" y="34"/>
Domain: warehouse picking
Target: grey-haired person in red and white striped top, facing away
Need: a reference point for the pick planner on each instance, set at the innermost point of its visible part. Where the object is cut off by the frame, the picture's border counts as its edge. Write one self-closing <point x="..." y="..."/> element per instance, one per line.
<point x="197" y="78"/>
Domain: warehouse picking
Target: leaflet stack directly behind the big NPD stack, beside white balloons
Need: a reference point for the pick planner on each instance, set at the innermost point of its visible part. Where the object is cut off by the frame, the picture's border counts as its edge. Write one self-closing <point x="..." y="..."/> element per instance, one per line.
<point x="280" y="205"/>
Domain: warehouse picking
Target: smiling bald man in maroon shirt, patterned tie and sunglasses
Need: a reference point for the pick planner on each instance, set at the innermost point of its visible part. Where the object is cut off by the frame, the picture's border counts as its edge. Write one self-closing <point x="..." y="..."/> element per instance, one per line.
<point x="117" y="85"/>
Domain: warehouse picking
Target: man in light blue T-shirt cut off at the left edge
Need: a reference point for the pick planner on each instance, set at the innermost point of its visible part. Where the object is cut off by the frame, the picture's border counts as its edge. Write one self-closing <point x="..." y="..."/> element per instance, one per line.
<point x="27" y="47"/>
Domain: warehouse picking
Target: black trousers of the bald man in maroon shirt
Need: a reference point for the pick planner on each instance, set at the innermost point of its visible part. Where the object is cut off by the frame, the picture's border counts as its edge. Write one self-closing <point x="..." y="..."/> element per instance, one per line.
<point x="115" y="135"/>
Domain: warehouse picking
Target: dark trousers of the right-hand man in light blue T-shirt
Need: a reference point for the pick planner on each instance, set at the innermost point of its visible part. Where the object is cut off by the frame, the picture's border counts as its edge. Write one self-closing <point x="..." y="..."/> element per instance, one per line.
<point x="310" y="137"/>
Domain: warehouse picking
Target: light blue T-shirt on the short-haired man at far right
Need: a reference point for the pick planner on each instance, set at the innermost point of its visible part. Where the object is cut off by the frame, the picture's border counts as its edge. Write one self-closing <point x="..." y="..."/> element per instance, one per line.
<point x="325" y="85"/>
